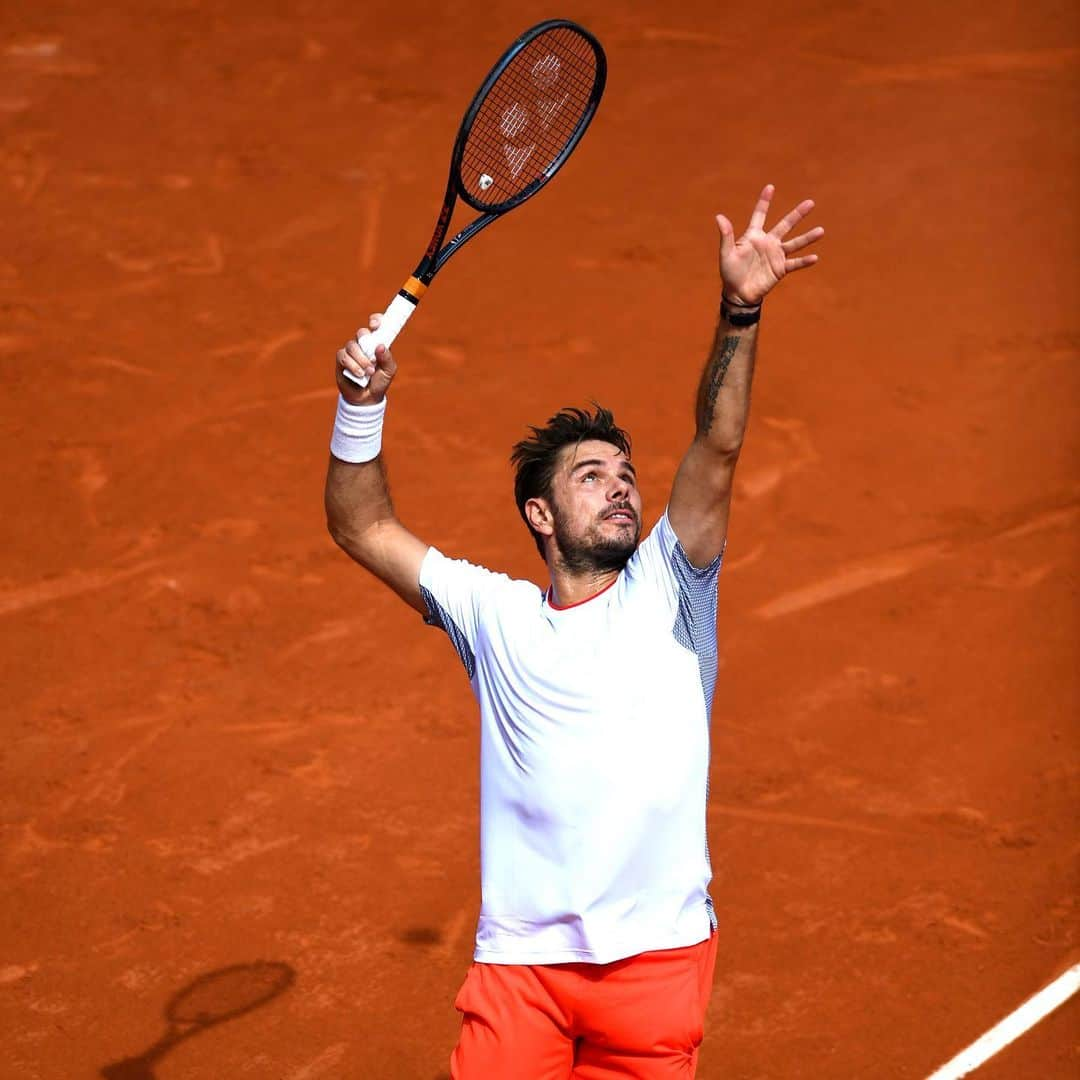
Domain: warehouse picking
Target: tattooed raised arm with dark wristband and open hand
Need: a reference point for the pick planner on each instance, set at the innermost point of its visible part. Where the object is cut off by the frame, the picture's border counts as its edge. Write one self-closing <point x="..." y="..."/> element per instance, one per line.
<point x="751" y="267"/>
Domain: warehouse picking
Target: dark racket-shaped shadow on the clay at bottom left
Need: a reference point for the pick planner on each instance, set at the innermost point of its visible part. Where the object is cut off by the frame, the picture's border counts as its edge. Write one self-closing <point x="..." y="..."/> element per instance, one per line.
<point x="207" y="1002"/>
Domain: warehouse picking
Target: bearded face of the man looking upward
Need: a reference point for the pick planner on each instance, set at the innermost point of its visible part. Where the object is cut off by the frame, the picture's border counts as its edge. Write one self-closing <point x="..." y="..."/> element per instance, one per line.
<point x="597" y="508"/>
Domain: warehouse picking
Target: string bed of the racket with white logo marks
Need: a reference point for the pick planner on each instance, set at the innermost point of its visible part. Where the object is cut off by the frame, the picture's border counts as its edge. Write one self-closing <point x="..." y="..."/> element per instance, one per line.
<point x="530" y="117"/>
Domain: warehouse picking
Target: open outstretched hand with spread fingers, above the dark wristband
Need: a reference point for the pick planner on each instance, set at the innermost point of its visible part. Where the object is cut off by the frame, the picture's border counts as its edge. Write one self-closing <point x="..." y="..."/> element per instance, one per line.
<point x="752" y="266"/>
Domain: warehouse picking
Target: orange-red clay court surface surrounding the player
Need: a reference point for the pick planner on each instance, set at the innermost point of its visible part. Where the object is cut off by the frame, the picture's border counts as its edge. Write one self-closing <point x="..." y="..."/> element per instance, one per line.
<point x="224" y="744"/>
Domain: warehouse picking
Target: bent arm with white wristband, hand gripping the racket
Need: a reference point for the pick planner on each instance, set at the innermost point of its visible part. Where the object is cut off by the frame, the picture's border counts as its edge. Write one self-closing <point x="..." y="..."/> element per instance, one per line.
<point x="360" y="516"/>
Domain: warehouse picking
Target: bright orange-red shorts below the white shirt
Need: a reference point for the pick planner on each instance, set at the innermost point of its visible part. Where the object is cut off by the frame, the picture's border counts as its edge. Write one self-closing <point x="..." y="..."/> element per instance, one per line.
<point x="639" y="1018"/>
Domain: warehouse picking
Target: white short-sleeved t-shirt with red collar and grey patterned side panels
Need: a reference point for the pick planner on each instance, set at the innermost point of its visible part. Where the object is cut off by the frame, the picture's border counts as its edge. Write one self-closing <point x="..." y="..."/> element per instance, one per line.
<point x="595" y="754"/>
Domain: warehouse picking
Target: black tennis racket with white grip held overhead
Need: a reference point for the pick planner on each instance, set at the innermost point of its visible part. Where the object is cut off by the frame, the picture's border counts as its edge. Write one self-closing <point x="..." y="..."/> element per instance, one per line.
<point x="524" y="123"/>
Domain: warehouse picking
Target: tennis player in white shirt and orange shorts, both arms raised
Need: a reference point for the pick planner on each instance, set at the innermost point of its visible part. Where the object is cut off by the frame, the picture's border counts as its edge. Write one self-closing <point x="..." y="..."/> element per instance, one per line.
<point x="598" y="938"/>
